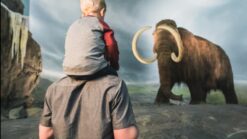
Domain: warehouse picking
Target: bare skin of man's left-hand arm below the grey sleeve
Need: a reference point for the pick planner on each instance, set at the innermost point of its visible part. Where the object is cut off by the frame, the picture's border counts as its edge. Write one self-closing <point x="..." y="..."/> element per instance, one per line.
<point x="45" y="132"/>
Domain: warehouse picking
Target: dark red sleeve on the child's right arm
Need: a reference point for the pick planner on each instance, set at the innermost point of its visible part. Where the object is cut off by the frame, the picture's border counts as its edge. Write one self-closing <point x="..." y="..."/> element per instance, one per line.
<point x="112" y="53"/>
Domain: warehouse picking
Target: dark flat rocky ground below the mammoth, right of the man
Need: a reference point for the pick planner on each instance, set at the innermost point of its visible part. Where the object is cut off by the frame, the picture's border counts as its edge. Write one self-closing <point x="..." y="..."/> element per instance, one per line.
<point x="192" y="122"/>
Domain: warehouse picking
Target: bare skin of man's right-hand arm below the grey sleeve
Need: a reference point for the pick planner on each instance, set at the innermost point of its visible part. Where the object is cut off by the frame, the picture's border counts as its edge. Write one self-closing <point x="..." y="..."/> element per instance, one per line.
<point x="126" y="133"/>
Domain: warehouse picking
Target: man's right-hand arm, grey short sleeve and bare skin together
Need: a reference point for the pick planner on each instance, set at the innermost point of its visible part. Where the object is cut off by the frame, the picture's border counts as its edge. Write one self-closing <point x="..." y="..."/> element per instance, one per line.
<point x="123" y="119"/>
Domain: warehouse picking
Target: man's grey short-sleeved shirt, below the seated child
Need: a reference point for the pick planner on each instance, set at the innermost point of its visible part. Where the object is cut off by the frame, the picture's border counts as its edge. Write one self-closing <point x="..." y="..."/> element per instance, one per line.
<point x="78" y="109"/>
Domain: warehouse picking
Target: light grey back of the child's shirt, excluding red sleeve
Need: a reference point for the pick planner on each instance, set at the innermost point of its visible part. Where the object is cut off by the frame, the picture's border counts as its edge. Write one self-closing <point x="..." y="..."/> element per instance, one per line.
<point x="84" y="47"/>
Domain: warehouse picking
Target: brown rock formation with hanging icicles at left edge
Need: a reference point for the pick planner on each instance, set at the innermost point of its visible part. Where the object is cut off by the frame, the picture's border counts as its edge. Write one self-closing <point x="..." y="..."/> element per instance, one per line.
<point x="20" y="58"/>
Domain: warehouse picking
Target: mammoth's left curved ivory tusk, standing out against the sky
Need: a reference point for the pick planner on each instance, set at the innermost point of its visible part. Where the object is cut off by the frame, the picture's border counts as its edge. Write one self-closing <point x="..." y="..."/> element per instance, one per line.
<point x="134" y="48"/>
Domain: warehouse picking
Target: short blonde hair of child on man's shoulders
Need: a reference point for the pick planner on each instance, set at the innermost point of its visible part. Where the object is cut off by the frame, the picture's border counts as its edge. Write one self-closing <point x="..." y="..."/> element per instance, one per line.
<point x="93" y="6"/>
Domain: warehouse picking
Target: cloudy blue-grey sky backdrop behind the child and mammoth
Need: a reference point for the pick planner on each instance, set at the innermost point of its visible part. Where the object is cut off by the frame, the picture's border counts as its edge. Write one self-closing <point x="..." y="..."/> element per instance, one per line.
<point x="220" y="21"/>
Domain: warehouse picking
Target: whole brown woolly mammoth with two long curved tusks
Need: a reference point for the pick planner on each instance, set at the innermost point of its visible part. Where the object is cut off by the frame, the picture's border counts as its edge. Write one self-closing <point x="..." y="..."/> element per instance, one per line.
<point x="186" y="58"/>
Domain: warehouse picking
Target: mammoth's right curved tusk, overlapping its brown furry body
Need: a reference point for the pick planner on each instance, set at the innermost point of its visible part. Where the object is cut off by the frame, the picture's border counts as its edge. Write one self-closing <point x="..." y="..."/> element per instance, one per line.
<point x="178" y="40"/>
